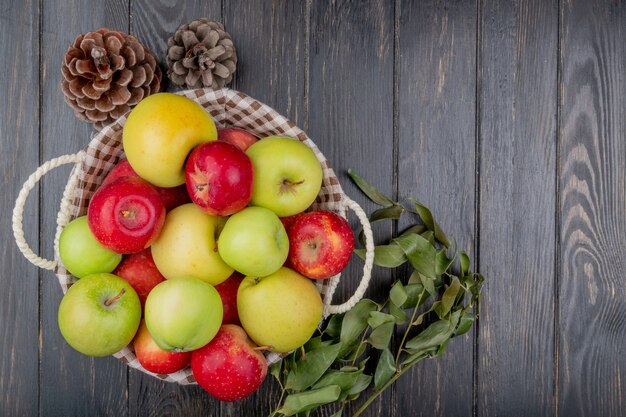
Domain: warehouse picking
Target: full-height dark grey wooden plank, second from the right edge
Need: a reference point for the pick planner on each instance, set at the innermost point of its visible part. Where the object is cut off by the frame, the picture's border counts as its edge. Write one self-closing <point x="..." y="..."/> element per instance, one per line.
<point x="518" y="106"/>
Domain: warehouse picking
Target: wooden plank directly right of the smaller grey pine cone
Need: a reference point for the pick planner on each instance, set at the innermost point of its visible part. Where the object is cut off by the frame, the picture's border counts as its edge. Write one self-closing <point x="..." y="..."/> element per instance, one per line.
<point x="270" y="41"/>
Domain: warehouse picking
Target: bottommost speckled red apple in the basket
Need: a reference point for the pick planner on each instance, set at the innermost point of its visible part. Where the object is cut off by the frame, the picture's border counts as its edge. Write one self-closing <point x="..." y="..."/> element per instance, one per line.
<point x="228" y="367"/>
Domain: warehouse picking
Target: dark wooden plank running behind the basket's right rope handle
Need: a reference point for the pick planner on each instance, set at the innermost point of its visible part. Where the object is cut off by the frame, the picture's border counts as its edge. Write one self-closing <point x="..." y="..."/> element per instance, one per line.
<point x="351" y="118"/>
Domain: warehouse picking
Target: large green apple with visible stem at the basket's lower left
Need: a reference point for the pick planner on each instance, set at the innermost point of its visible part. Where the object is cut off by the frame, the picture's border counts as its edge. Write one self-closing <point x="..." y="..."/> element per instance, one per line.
<point x="99" y="314"/>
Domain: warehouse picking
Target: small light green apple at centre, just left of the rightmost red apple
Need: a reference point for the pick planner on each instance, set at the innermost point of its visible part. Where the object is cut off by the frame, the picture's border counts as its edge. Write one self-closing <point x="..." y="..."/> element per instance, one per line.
<point x="254" y="242"/>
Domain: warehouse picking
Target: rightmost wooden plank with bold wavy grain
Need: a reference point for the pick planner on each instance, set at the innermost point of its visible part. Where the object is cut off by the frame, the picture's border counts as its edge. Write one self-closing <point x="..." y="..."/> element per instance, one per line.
<point x="592" y="313"/>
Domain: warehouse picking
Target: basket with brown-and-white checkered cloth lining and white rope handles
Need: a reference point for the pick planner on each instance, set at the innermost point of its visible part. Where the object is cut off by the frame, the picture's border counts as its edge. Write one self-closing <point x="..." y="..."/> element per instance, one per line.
<point x="228" y="108"/>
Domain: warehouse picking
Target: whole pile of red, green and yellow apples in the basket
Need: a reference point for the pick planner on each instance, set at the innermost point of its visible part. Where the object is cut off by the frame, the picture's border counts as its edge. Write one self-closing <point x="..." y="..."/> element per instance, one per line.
<point x="198" y="249"/>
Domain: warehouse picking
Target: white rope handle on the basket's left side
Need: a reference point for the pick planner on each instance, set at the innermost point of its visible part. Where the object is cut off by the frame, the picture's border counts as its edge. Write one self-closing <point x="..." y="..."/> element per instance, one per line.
<point x="62" y="217"/>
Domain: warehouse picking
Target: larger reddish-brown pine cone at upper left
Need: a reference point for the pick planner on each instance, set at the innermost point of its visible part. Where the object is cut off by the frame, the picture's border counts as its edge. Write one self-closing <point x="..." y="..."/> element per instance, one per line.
<point x="105" y="73"/>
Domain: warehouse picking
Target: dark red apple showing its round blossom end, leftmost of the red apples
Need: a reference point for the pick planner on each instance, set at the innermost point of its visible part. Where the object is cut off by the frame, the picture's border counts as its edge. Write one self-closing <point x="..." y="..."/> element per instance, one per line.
<point x="126" y="215"/>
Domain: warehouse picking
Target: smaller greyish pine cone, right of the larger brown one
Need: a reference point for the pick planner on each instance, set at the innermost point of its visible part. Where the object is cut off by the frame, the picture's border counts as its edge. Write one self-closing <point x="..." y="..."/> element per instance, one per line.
<point x="201" y="54"/>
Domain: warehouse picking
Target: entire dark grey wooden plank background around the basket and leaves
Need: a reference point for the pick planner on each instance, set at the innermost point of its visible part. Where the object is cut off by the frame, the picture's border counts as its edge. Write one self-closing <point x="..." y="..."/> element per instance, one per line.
<point x="507" y="118"/>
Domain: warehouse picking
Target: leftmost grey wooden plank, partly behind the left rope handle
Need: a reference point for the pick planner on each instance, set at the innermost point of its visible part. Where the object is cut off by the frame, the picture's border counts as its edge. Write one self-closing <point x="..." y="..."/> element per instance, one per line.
<point x="19" y="155"/>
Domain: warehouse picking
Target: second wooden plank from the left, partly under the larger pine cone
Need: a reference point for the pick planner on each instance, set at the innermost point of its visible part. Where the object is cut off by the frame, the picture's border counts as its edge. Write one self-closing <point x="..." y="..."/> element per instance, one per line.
<point x="71" y="384"/>
